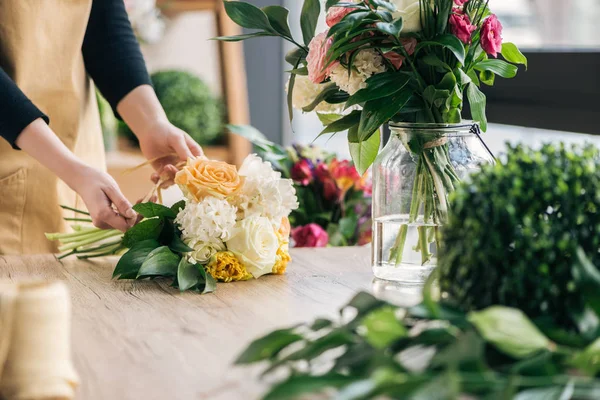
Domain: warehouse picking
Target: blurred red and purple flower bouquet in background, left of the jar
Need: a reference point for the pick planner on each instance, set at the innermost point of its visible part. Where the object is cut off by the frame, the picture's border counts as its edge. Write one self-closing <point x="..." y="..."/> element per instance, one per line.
<point x="335" y="200"/>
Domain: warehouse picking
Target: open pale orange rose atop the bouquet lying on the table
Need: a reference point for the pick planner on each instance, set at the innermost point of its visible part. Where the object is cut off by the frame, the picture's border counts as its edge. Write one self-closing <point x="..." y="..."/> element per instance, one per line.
<point x="202" y="177"/>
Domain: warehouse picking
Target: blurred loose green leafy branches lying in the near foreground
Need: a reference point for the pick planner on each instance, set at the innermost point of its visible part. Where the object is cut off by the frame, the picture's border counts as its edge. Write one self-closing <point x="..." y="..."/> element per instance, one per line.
<point x="390" y="352"/>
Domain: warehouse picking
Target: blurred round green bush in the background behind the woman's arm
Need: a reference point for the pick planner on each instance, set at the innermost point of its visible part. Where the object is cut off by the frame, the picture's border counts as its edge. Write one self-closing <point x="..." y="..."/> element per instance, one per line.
<point x="190" y="105"/>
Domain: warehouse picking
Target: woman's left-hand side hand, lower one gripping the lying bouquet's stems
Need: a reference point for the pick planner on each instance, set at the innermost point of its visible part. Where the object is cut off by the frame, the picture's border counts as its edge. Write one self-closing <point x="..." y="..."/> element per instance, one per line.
<point x="100" y="193"/>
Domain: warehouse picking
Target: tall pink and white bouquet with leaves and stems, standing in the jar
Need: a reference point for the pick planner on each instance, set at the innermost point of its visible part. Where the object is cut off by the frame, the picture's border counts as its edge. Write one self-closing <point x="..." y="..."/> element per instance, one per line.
<point x="381" y="61"/>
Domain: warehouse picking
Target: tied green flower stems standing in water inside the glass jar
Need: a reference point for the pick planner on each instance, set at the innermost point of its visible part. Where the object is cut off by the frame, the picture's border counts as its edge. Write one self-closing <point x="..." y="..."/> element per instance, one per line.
<point x="435" y="178"/>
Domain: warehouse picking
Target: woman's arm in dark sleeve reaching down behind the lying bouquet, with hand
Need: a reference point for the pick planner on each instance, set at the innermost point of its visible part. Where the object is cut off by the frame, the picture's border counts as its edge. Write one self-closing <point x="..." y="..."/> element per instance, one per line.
<point x="114" y="61"/>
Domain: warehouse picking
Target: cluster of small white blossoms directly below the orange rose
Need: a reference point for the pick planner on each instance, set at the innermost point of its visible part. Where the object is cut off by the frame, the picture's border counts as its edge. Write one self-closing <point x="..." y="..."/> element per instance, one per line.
<point x="209" y="221"/>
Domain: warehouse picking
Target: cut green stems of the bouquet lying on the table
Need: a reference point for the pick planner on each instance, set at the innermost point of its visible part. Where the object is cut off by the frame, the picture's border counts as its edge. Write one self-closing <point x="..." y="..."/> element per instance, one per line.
<point x="87" y="241"/>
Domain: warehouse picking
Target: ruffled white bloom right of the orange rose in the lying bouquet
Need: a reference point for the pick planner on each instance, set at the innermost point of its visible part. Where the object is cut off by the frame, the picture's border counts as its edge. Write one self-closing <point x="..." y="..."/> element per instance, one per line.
<point x="264" y="193"/>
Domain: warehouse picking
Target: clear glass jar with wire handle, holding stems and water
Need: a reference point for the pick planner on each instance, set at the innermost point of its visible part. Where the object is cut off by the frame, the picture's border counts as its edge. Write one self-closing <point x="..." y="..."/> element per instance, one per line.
<point x="412" y="178"/>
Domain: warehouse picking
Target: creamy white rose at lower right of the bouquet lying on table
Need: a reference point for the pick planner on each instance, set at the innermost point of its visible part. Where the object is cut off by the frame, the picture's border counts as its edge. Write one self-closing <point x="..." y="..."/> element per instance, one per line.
<point x="255" y="243"/>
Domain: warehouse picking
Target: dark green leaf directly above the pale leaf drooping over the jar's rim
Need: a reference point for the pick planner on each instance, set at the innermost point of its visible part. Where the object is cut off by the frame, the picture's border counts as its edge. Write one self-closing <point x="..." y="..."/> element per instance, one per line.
<point x="377" y="112"/>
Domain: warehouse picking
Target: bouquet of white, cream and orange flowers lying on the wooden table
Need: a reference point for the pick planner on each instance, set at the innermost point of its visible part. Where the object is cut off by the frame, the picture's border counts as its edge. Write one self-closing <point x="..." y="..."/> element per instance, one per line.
<point x="232" y="226"/>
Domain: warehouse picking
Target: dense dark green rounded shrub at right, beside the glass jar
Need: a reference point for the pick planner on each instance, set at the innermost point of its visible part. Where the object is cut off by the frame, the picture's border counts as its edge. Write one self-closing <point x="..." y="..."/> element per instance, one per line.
<point x="526" y="234"/>
